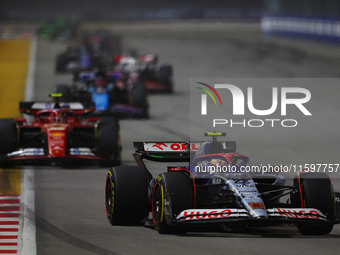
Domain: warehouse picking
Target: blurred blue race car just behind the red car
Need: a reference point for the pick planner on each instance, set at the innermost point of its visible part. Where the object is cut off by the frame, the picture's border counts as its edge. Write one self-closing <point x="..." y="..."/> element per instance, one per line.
<point x="117" y="94"/>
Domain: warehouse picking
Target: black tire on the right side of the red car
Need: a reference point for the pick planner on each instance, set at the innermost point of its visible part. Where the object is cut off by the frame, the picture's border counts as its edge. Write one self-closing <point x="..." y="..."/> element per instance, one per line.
<point x="109" y="146"/>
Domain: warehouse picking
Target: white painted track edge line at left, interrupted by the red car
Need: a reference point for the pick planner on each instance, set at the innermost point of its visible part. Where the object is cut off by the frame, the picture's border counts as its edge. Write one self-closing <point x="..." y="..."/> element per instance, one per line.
<point x="27" y="240"/>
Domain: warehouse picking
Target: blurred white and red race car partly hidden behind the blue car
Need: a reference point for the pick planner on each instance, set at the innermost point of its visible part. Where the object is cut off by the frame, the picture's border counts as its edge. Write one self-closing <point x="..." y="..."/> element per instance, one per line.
<point x="156" y="77"/>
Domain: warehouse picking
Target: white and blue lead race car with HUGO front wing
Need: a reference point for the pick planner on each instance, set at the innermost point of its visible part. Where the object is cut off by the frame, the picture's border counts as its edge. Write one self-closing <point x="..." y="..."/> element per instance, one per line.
<point x="198" y="194"/>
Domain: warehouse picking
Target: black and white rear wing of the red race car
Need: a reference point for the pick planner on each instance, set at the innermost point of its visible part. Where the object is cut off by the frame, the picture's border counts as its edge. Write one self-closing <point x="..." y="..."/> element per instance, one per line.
<point x="33" y="107"/>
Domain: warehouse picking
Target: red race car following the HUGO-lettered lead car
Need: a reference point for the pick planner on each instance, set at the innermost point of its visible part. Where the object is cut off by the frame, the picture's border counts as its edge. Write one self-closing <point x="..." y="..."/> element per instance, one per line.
<point x="59" y="134"/>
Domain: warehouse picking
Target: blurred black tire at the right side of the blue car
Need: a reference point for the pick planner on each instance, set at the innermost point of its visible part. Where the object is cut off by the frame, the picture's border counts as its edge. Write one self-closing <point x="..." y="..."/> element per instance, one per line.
<point x="139" y="97"/>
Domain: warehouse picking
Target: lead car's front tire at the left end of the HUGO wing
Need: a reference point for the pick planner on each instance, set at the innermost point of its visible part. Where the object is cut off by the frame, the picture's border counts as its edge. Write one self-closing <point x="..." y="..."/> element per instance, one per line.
<point x="178" y="185"/>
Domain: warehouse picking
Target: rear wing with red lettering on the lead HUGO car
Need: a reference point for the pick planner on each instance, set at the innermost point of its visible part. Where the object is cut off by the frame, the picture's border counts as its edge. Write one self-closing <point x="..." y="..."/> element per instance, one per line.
<point x="173" y="151"/>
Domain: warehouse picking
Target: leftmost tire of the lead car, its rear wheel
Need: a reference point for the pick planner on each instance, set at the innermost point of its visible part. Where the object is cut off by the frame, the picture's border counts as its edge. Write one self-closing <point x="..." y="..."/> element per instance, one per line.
<point x="126" y="195"/>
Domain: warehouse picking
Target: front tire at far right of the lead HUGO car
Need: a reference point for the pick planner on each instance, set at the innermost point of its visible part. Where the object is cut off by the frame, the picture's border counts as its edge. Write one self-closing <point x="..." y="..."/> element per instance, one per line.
<point x="317" y="193"/>
